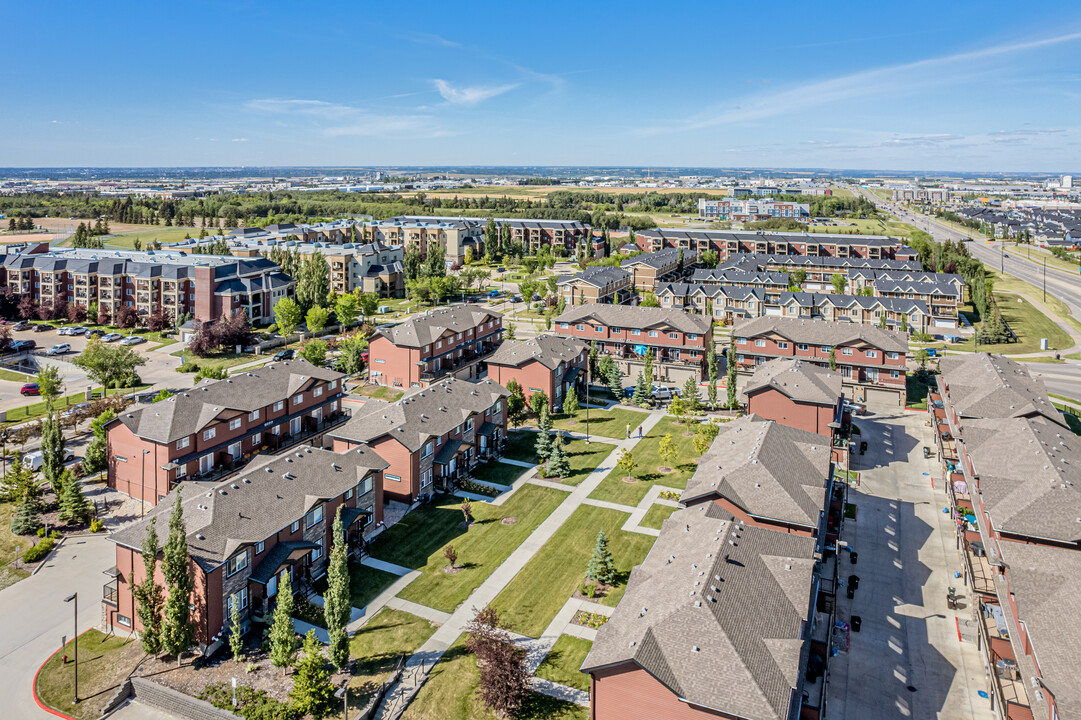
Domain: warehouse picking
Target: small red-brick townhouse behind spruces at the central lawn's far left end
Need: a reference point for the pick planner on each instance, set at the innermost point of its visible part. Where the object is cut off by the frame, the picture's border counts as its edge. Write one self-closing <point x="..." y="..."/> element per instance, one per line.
<point x="545" y="364"/>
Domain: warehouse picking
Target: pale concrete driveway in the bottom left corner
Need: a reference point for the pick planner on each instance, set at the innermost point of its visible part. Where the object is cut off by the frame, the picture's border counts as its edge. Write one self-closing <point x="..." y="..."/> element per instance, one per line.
<point x="36" y="618"/>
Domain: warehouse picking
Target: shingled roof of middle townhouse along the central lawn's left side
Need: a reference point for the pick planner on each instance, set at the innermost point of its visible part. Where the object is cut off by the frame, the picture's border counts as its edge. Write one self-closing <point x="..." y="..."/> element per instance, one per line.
<point x="423" y="415"/>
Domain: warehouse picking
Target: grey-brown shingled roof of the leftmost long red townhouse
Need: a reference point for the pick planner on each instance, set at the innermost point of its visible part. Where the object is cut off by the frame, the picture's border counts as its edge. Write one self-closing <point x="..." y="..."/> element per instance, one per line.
<point x="191" y="411"/>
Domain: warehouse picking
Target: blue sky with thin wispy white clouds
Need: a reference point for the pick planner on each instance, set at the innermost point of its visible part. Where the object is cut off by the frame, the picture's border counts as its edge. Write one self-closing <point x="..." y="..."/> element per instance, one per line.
<point x="936" y="86"/>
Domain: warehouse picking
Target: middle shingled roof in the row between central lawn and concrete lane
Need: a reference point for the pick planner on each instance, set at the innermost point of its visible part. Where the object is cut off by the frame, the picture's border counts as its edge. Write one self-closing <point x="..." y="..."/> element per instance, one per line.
<point x="767" y="469"/>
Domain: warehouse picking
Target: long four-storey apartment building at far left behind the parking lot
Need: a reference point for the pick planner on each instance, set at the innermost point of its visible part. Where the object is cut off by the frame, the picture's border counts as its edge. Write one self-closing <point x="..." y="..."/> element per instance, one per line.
<point x="205" y="287"/>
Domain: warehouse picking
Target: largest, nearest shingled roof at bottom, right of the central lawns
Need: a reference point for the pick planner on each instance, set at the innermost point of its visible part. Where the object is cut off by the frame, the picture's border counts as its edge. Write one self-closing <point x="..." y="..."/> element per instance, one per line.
<point x="715" y="612"/>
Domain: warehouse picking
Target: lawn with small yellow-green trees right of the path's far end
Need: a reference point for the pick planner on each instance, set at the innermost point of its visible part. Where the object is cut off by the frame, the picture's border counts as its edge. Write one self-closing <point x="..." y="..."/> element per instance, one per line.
<point x="648" y="456"/>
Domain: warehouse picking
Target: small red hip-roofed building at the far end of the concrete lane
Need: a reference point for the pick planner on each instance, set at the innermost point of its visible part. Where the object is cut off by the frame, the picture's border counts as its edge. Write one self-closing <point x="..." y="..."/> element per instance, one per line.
<point x="797" y="394"/>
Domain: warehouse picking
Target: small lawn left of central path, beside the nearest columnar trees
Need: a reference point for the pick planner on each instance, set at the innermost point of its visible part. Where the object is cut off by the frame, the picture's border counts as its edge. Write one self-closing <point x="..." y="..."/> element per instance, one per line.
<point x="378" y="648"/>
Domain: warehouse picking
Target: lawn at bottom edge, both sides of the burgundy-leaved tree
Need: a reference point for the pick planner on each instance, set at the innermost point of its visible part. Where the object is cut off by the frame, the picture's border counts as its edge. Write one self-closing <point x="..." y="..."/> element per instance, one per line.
<point x="451" y="695"/>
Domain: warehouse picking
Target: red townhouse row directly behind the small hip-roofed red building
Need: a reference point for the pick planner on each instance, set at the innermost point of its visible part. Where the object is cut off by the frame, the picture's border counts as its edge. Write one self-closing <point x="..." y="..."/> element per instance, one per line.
<point x="872" y="362"/>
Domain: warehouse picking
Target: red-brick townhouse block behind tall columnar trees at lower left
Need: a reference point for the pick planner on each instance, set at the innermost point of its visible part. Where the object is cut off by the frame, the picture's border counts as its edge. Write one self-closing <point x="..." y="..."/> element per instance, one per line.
<point x="244" y="534"/>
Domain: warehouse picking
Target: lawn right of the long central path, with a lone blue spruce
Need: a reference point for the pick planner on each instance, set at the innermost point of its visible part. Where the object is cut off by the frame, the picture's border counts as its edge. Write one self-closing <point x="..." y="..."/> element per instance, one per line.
<point x="551" y="578"/>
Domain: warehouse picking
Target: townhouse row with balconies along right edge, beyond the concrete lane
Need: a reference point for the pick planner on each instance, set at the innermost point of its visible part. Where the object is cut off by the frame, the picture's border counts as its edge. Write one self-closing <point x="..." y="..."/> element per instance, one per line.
<point x="1013" y="491"/>
